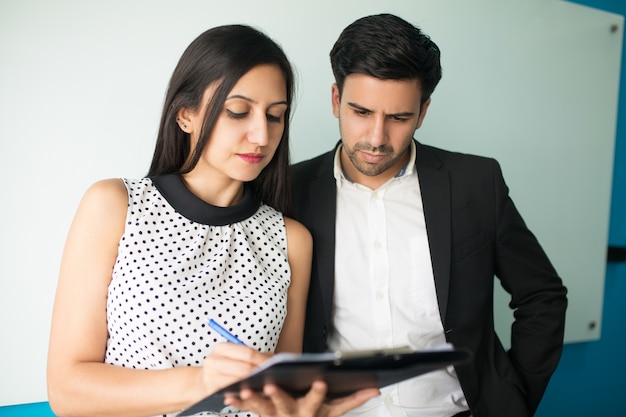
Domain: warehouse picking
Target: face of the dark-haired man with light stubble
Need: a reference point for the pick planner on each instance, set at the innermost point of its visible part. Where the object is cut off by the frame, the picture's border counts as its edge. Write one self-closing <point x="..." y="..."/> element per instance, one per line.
<point x="377" y="120"/>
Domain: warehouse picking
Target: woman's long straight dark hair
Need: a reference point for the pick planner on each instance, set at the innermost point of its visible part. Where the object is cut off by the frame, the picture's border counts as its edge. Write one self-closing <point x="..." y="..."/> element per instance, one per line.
<point x="222" y="54"/>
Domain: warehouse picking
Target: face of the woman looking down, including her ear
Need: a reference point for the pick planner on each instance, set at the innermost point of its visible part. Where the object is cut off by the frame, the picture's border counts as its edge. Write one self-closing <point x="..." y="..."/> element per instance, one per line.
<point x="249" y="127"/>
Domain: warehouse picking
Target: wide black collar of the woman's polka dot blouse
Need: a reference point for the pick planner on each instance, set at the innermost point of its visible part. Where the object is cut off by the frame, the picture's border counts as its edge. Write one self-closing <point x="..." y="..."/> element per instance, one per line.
<point x="189" y="205"/>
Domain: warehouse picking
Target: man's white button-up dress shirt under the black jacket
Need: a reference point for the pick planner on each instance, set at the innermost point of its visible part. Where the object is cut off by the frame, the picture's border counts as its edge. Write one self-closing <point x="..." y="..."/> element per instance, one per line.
<point x="385" y="291"/>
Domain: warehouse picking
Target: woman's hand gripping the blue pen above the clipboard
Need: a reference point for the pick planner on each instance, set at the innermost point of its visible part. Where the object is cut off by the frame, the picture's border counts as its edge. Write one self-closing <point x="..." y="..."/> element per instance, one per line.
<point x="228" y="363"/>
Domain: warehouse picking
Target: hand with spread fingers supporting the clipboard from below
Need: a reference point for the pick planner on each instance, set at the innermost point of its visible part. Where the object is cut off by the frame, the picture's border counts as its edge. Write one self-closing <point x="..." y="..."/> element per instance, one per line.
<point x="274" y="402"/>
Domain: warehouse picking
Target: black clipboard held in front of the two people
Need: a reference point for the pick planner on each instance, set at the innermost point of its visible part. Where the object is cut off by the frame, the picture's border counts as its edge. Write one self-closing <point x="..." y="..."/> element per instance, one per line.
<point x="343" y="372"/>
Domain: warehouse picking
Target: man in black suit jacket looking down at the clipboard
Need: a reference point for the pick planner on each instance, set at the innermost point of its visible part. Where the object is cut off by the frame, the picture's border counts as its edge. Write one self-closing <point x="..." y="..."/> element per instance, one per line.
<point x="408" y="239"/>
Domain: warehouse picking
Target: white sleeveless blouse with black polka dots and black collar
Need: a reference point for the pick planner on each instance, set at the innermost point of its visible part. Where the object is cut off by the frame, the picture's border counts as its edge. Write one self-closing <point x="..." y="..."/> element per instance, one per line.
<point x="182" y="261"/>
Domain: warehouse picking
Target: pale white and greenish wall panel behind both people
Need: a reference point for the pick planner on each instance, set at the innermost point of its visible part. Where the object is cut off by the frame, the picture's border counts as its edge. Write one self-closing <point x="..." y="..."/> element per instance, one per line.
<point x="530" y="82"/>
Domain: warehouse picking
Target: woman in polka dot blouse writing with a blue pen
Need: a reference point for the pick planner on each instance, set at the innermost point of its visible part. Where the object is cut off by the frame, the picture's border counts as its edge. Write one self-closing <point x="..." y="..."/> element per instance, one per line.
<point x="147" y="262"/>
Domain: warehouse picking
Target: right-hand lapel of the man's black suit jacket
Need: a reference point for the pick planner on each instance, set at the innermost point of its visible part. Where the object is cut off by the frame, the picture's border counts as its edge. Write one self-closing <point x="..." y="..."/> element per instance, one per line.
<point x="435" y="189"/>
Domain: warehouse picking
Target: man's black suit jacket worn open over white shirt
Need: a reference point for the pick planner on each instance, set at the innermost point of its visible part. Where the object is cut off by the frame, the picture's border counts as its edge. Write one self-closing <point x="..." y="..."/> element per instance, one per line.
<point x="475" y="234"/>
